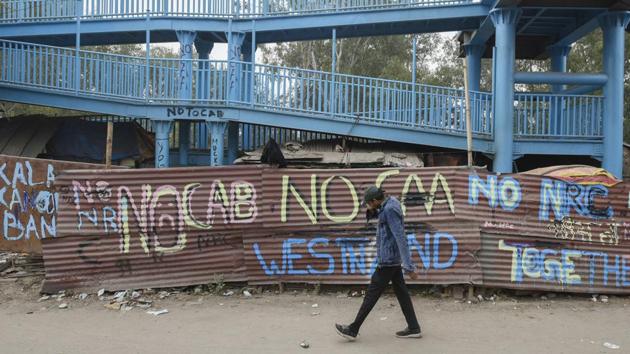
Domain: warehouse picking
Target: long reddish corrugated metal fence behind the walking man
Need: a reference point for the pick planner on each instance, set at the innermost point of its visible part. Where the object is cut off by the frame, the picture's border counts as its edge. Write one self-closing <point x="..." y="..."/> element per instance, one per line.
<point x="137" y="228"/>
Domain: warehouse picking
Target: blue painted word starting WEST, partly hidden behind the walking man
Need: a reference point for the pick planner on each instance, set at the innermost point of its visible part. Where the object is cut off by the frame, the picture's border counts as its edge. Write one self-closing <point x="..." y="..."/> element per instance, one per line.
<point x="352" y="255"/>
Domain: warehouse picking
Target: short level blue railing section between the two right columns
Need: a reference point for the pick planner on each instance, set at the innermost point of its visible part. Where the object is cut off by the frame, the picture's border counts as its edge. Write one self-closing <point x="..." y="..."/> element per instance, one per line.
<point x="552" y="116"/>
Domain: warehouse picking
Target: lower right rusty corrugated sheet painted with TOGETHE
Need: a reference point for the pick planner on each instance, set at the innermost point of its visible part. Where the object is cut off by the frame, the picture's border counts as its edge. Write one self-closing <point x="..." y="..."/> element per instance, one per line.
<point x="555" y="265"/>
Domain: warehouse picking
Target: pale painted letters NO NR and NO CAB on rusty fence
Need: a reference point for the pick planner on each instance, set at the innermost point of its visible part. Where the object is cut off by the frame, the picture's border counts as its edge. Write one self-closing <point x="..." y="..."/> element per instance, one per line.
<point x="239" y="206"/>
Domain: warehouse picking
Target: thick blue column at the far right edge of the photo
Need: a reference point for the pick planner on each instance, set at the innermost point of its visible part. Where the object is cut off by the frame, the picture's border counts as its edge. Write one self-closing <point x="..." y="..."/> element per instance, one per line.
<point x="613" y="25"/>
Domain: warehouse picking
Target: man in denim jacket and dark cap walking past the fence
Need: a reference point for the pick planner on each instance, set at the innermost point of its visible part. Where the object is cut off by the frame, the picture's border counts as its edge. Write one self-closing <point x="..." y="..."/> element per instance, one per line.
<point x="393" y="257"/>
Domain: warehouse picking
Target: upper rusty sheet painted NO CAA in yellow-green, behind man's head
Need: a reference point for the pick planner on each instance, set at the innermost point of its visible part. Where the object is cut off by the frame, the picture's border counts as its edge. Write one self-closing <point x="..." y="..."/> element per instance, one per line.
<point x="325" y="199"/>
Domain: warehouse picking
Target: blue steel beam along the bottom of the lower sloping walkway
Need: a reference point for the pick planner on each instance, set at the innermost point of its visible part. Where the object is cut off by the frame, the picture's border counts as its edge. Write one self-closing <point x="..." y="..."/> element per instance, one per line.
<point x="586" y="147"/>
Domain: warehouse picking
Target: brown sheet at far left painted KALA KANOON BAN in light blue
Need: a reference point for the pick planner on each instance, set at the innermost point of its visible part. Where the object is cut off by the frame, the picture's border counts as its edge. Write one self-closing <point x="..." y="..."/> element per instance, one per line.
<point x="28" y="203"/>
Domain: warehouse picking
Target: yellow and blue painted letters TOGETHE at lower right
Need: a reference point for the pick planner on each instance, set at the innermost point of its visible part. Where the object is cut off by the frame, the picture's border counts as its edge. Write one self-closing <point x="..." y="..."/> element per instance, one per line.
<point x="558" y="266"/>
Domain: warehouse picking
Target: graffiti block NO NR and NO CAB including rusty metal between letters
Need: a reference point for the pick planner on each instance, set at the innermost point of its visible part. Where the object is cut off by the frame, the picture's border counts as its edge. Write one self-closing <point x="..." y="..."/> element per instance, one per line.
<point x="144" y="214"/>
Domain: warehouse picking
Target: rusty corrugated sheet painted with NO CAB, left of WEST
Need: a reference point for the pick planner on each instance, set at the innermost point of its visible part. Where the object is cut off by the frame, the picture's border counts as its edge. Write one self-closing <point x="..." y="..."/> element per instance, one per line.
<point x="134" y="228"/>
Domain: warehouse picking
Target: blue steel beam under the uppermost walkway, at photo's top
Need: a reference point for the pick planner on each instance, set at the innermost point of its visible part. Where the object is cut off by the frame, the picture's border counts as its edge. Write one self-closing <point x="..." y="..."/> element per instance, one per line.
<point x="271" y="29"/>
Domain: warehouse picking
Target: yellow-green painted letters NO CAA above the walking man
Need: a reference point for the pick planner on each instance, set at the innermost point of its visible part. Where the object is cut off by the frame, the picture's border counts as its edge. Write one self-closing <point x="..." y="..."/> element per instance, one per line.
<point x="439" y="182"/>
